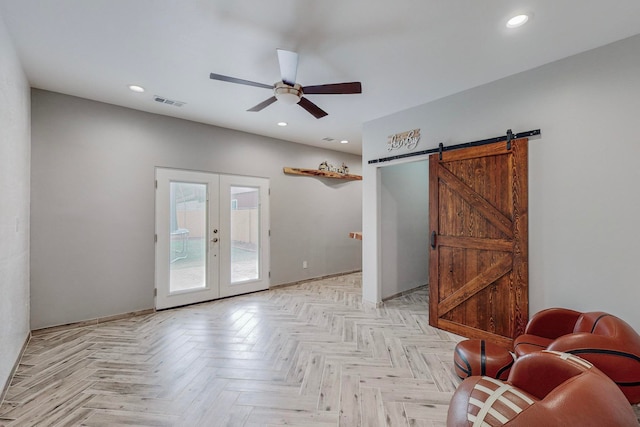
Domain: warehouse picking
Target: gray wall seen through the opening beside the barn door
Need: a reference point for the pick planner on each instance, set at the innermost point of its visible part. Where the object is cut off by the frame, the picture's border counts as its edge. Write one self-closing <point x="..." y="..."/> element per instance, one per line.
<point x="404" y="227"/>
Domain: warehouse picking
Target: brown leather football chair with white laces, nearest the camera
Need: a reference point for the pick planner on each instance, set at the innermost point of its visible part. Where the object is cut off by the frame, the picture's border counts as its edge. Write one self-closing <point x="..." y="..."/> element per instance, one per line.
<point x="544" y="389"/>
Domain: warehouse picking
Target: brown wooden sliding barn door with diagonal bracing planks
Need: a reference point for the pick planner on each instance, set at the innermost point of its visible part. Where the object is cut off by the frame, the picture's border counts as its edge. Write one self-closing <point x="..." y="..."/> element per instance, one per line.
<point x="478" y="271"/>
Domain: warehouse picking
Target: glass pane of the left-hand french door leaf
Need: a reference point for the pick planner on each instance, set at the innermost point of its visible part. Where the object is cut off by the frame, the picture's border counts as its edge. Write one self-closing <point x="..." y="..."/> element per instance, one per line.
<point x="187" y="230"/>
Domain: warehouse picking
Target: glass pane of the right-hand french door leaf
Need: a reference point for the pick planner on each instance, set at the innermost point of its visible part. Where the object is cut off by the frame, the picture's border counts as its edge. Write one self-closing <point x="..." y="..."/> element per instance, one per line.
<point x="245" y="233"/>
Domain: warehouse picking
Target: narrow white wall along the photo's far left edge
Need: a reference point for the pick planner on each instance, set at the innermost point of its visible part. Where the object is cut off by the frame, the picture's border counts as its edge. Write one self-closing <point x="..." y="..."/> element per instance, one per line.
<point x="14" y="207"/>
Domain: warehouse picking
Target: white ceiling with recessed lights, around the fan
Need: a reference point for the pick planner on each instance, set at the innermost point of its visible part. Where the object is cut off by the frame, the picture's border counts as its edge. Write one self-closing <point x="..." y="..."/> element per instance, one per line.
<point x="405" y="53"/>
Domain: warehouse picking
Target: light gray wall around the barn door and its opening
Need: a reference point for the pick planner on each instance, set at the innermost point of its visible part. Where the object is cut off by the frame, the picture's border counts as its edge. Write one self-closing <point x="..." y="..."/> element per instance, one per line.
<point x="584" y="202"/>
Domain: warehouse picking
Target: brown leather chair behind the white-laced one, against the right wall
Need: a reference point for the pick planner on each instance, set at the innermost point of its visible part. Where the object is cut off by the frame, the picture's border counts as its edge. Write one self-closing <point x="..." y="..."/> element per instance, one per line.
<point x="601" y="338"/>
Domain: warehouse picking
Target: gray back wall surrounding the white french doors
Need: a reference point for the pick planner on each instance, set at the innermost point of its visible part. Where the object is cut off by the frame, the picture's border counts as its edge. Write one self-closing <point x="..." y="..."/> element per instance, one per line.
<point x="92" y="250"/>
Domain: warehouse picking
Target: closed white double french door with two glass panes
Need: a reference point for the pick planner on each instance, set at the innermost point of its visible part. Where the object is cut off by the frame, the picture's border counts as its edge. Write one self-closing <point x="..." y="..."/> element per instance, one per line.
<point x="212" y="236"/>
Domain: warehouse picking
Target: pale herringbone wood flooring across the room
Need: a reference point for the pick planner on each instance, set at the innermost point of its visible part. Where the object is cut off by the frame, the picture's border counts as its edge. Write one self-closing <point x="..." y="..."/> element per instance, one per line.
<point x="305" y="355"/>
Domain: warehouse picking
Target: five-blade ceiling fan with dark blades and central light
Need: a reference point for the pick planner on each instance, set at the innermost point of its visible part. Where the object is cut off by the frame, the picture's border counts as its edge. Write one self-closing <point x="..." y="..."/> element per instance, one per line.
<point x="290" y="92"/>
